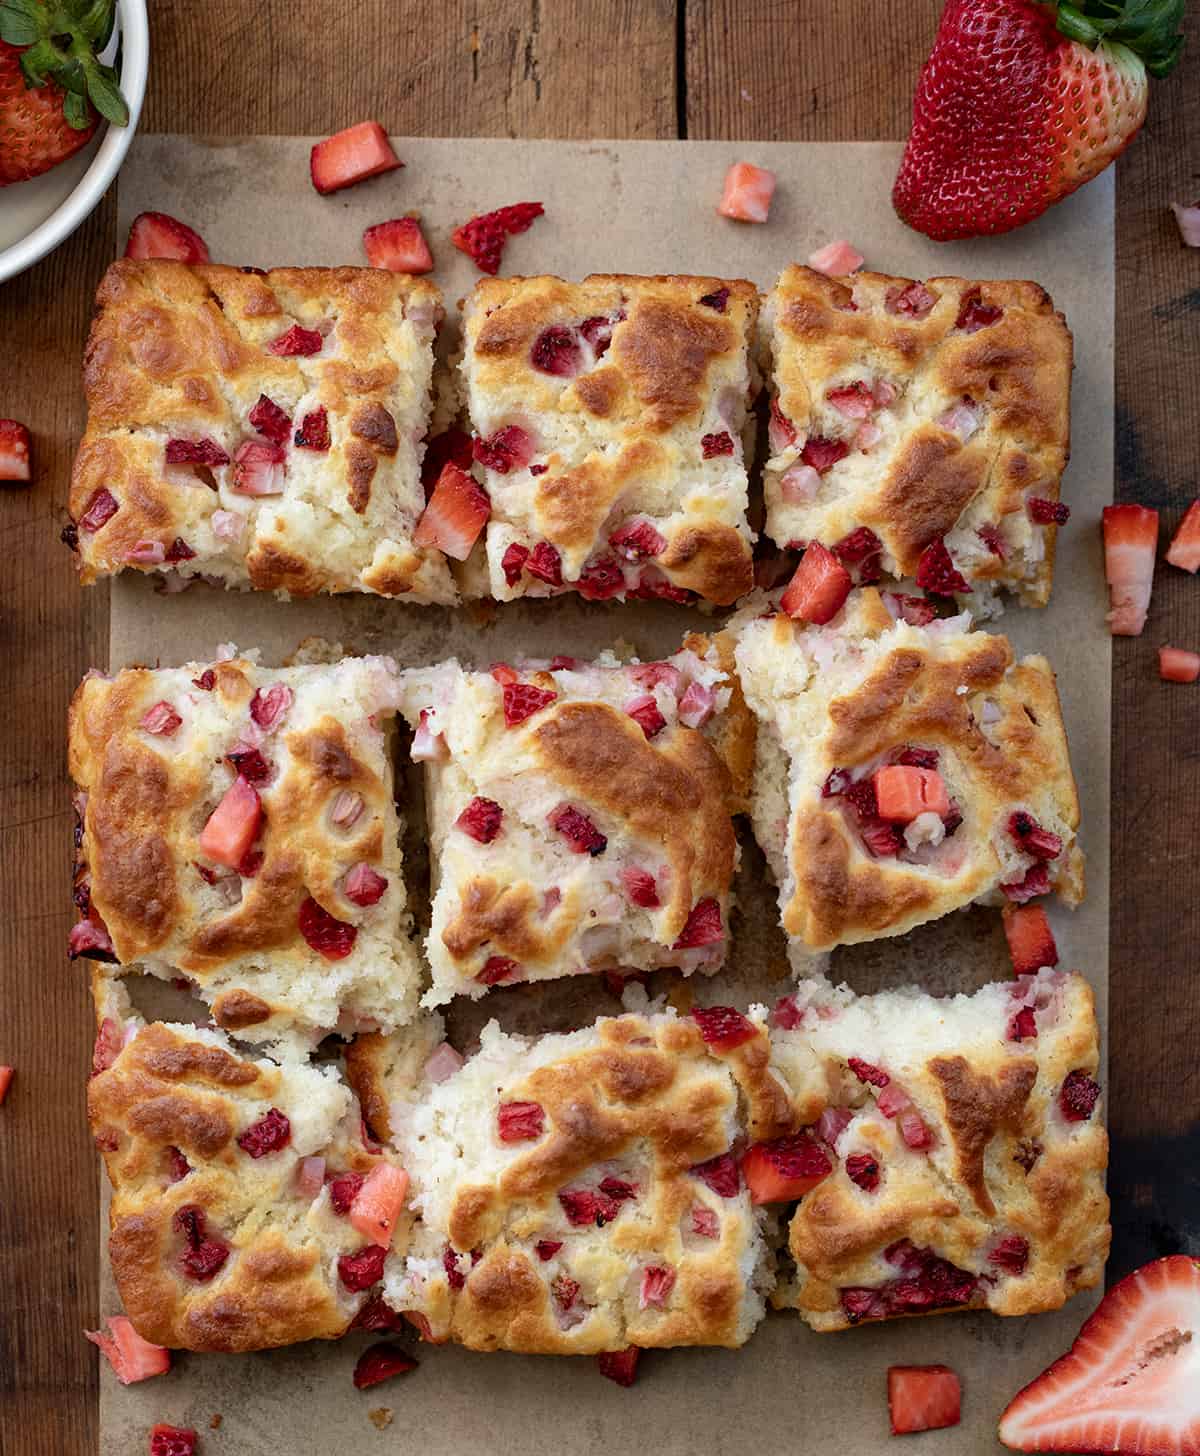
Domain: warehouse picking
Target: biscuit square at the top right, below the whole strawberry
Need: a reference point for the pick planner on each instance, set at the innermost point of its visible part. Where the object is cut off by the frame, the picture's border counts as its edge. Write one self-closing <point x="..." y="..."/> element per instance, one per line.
<point x="920" y="413"/>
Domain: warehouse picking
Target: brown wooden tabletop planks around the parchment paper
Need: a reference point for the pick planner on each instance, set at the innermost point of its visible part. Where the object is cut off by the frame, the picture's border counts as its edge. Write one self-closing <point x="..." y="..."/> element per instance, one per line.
<point x="727" y="69"/>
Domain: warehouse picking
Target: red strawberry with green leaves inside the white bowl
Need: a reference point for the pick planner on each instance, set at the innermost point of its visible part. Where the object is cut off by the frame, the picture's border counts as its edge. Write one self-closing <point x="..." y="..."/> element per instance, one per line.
<point x="53" y="90"/>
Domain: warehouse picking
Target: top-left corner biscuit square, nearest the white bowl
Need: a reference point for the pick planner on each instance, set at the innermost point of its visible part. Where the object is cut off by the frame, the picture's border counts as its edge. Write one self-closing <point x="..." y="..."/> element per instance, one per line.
<point x="263" y="430"/>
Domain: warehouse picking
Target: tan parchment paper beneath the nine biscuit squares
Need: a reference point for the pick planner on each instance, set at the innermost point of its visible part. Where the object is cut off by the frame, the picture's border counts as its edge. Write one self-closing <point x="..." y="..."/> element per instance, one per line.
<point x="640" y="207"/>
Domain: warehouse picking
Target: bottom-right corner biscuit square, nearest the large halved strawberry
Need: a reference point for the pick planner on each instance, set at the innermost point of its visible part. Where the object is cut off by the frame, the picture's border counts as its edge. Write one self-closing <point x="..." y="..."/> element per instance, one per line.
<point x="969" y="1151"/>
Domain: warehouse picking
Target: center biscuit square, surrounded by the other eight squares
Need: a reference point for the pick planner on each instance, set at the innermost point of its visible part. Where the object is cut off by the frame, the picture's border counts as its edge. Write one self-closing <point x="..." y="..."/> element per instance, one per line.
<point x="579" y="819"/>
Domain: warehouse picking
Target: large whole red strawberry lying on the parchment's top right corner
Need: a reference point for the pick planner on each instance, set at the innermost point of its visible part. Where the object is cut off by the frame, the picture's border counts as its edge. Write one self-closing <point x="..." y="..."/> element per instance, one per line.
<point x="1023" y="103"/>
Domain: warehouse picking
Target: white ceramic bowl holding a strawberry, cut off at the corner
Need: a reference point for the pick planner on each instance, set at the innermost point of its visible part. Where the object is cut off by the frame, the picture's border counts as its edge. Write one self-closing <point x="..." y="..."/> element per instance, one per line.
<point x="39" y="215"/>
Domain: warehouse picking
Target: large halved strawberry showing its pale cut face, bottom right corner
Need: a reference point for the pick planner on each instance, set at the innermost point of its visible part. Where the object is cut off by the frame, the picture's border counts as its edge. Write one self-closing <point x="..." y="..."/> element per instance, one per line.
<point x="1129" y="1381"/>
